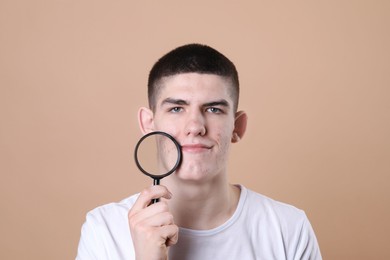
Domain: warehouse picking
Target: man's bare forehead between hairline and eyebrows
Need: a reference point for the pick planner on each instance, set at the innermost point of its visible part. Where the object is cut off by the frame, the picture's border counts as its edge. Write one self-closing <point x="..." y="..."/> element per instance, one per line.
<point x="196" y="87"/>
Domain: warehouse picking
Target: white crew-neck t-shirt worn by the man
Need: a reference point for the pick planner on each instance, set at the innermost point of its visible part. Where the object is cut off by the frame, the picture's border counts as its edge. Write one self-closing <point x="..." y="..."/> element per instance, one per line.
<point x="260" y="228"/>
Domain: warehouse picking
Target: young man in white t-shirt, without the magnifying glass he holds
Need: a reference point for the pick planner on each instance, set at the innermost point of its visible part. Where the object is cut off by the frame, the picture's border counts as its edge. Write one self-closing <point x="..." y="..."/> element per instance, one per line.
<point x="193" y="95"/>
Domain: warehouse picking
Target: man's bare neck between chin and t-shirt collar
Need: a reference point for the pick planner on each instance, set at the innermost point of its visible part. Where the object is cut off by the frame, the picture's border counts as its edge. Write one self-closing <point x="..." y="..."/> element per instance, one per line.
<point x="202" y="206"/>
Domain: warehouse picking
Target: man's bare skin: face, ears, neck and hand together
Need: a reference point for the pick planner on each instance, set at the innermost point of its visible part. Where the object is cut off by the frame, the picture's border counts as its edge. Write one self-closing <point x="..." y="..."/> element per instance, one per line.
<point x="197" y="109"/>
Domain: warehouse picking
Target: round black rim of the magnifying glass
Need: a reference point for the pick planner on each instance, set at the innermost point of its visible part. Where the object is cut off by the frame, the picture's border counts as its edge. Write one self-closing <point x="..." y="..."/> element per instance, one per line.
<point x="178" y="161"/>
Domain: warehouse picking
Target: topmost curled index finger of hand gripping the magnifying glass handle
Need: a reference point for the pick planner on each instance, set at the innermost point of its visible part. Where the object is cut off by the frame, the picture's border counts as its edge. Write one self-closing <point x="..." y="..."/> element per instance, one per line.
<point x="153" y="192"/>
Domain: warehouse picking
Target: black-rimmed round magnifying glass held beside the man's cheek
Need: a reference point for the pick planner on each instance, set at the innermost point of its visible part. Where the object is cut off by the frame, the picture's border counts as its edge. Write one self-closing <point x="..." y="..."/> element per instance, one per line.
<point x="157" y="155"/>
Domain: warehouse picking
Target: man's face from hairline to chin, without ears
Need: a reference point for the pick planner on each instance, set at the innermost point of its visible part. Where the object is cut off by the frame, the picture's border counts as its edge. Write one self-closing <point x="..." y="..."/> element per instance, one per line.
<point x="197" y="109"/>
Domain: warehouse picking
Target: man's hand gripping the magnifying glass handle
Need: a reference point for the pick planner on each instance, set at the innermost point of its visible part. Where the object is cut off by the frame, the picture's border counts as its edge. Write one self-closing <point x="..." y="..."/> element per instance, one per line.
<point x="151" y="227"/>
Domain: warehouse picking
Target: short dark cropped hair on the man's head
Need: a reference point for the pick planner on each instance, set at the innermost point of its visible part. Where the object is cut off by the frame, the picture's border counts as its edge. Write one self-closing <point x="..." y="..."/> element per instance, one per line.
<point x="189" y="58"/>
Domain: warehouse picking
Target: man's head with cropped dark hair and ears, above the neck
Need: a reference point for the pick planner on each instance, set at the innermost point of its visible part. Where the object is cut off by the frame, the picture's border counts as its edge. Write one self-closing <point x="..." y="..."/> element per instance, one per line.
<point x="193" y="96"/>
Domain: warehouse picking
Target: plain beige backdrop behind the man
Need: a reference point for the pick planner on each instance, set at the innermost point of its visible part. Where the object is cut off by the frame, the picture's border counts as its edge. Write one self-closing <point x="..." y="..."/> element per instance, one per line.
<point x="315" y="82"/>
